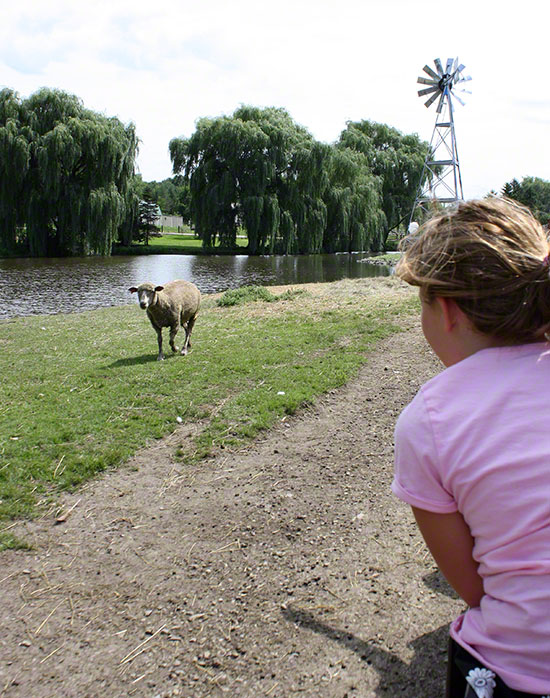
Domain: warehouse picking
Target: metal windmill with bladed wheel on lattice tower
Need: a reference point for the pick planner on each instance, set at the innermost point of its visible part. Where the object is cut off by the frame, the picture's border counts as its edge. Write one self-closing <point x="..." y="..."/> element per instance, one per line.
<point x="441" y="172"/>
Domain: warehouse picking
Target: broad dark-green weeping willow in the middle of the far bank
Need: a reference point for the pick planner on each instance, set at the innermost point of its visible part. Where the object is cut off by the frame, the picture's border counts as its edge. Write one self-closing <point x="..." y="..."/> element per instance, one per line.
<point x="260" y="170"/>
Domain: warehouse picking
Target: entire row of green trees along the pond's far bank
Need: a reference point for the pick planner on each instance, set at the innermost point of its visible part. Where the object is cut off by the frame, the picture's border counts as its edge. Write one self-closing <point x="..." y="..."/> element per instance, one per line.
<point x="68" y="184"/>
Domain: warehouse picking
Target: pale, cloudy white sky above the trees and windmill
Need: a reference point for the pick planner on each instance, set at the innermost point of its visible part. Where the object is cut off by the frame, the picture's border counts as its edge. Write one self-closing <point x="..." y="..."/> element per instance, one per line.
<point x="163" y="64"/>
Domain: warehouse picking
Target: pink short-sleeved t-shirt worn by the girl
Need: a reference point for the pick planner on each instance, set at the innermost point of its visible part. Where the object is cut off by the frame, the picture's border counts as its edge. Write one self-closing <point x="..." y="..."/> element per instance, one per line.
<point x="476" y="439"/>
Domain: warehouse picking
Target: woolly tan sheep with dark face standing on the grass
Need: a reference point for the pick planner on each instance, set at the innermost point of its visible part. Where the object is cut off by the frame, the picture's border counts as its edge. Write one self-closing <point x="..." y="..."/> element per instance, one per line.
<point x="175" y="303"/>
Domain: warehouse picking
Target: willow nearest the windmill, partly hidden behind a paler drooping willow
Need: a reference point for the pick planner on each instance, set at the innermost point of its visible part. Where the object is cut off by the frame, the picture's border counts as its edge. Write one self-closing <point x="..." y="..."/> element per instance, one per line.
<point x="395" y="159"/>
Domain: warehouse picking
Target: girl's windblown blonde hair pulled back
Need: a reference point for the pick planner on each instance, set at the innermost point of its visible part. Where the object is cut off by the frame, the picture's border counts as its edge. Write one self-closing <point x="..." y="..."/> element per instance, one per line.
<point x="491" y="257"/>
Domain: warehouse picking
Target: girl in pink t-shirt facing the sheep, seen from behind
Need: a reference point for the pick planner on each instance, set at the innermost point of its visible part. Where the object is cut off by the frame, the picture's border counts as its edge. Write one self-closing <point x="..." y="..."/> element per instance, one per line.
<point x="472" y="450"/>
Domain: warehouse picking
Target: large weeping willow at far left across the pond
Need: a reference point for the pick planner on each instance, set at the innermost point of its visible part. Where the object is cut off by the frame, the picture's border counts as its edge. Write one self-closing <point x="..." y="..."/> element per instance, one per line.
<point x="66" y="174"/>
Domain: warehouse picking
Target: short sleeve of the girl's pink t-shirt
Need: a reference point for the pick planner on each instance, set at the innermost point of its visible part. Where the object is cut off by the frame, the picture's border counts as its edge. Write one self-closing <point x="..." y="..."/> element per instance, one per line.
<point x="417" y="478"/>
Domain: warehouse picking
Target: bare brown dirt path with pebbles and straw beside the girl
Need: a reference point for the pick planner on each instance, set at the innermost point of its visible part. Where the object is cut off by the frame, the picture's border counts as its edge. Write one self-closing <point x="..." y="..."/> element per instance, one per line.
<point x="284" y="569"/>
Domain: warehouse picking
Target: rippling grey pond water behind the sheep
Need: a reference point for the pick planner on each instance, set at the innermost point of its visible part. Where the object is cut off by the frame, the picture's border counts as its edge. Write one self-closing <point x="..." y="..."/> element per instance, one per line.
<point x="68" y="285"/>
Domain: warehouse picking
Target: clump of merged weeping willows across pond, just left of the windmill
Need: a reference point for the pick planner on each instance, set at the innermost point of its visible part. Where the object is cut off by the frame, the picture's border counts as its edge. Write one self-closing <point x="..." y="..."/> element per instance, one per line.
<point x="260" y="171"/>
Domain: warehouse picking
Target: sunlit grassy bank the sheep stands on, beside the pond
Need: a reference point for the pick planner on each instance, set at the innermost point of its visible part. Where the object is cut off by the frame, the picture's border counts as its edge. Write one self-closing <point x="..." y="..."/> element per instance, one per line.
<point x="82" y="392"/>
